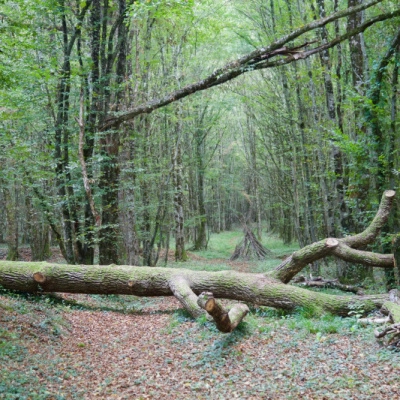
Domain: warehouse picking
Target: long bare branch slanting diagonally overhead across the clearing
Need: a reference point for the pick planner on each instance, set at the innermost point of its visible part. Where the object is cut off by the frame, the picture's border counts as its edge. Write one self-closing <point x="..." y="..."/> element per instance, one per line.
<point x="237" y="67"/>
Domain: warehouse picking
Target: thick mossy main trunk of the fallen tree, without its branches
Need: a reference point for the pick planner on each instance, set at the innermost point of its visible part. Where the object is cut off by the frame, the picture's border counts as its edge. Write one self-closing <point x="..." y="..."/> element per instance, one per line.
<point x="150" y="281"/>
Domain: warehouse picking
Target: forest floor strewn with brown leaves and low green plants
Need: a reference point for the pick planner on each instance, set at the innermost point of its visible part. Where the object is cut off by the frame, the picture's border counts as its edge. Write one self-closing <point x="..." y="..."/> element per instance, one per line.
<point x="122" y="347"/>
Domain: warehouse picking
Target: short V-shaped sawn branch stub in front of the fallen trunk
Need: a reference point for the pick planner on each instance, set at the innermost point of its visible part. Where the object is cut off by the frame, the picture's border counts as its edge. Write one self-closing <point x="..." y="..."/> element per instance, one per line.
<point x="225" y="321"/>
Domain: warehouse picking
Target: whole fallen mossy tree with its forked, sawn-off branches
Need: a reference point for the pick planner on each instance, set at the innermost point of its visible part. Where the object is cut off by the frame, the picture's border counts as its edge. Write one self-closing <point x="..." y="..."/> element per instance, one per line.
<point x="268" y="289"/>
